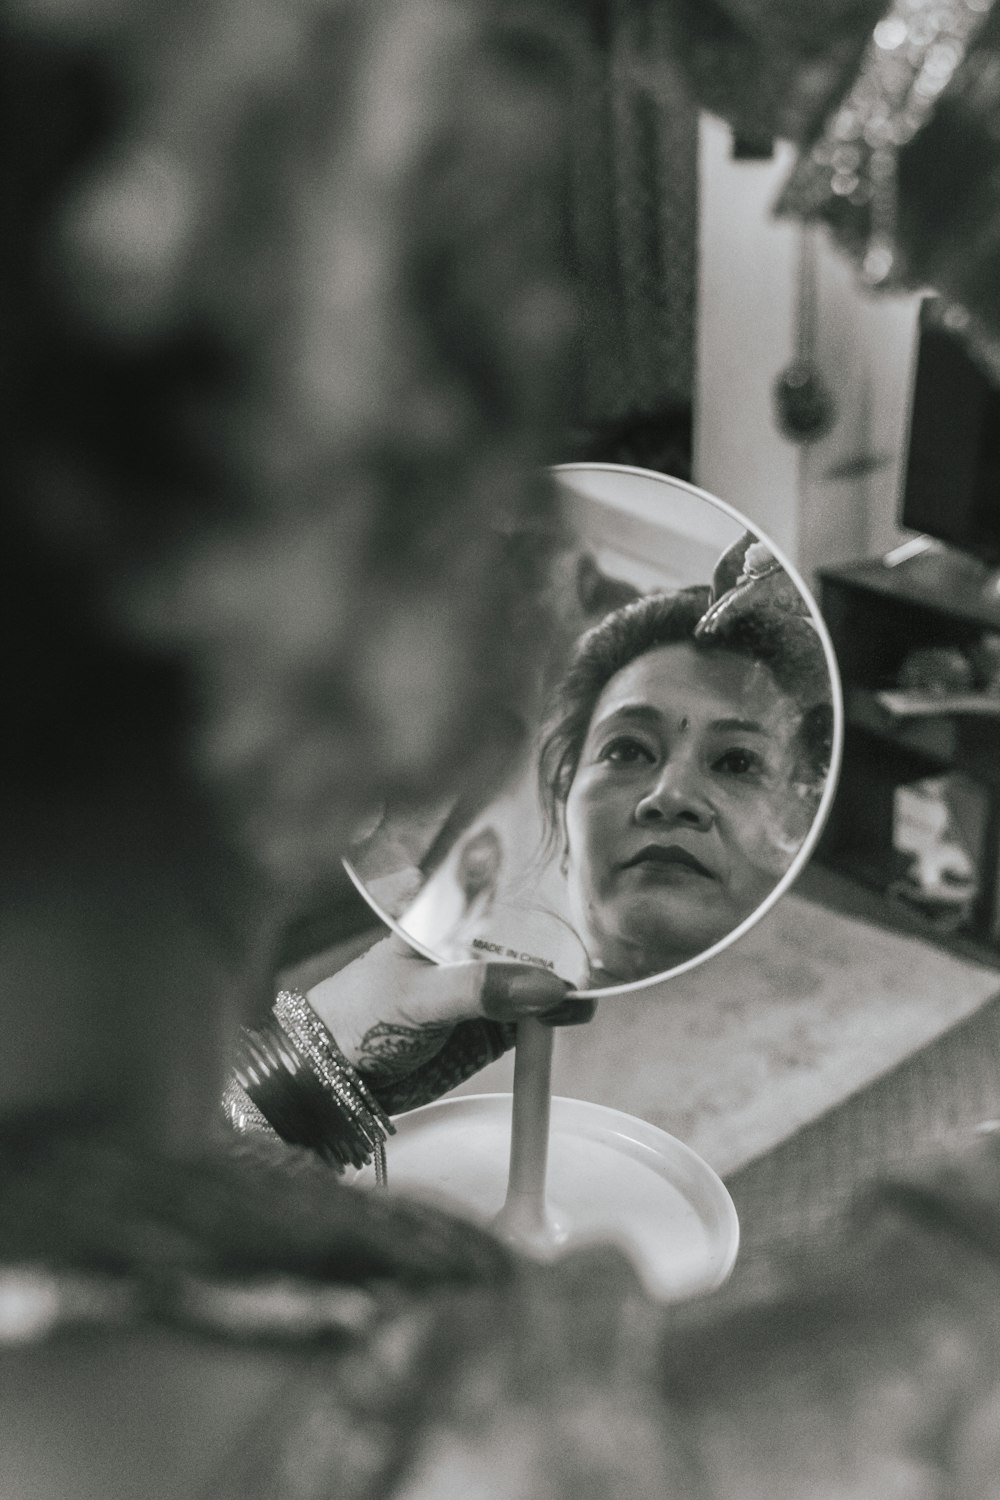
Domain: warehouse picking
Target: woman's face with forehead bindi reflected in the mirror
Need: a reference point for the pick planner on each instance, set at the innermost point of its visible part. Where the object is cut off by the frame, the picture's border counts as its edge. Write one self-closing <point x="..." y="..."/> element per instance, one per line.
<point x="683" y="812"/>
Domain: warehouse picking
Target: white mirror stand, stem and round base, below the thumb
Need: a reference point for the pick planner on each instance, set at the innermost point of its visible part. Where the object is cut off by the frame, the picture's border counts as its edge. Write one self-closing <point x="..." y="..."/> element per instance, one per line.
<point x="555" y="1175"/>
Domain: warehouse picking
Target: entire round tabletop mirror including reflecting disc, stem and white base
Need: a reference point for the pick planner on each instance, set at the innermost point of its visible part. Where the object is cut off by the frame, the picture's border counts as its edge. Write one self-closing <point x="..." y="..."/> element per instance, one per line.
<point x="678" y="773"/>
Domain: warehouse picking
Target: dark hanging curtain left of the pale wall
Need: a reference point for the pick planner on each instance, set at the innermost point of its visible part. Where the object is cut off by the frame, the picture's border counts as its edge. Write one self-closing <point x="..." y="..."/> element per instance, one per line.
<point x="635" y="235"/>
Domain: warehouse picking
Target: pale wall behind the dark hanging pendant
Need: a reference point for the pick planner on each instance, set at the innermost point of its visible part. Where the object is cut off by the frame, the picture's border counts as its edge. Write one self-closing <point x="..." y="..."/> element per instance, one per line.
<point x="746" y="337"/>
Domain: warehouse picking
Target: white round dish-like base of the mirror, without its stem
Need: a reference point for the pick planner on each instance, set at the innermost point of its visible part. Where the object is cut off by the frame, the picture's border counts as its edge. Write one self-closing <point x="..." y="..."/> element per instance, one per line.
<point x="612" y="1178"/>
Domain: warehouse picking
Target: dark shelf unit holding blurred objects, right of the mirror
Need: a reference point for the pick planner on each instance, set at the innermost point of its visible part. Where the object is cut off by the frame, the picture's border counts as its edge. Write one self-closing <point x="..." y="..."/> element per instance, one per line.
<point x="918" y="811"/>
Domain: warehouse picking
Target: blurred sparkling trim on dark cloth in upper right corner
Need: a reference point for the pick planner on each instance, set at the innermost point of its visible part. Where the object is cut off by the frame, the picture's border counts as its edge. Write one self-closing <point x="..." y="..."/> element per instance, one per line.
<point x="849" y="175"/>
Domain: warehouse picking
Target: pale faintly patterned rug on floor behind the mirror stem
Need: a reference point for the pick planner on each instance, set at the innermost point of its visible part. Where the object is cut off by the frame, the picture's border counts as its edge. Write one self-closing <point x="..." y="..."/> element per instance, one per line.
<point x="737" y="1057"/>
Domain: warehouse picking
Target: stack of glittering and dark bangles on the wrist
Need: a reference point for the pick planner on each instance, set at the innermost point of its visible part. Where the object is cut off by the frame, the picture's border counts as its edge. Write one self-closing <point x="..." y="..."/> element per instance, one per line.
<point x="292" y="1081"/>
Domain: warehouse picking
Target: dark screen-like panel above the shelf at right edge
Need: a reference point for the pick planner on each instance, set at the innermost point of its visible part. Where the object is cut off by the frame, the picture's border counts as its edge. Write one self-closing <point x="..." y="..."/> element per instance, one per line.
<point x="953" y="476"/>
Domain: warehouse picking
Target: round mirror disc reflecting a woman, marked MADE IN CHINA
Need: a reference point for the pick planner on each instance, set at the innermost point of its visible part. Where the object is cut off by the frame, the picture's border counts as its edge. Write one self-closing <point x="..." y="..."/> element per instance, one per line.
<point x="684" y="757"/>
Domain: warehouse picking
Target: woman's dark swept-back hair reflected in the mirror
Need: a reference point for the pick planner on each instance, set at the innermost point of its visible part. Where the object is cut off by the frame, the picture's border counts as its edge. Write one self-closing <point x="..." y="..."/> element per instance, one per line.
<point x="786" y="643"/>
